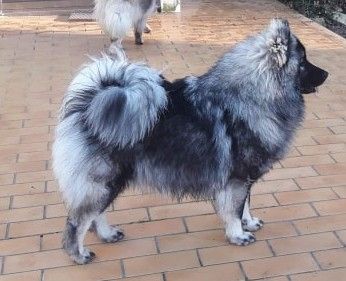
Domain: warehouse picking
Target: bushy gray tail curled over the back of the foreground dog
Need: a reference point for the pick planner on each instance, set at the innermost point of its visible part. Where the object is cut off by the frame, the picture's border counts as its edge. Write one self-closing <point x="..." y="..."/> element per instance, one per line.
<point x="118" y="102"/>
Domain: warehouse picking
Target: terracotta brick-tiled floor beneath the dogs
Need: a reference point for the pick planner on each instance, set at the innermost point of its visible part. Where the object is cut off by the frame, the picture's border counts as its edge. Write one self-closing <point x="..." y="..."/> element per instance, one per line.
<point x="303" y="200"/>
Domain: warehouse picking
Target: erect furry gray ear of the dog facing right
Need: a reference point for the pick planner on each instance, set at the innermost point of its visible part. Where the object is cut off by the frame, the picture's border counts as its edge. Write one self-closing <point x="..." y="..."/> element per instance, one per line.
<point x="277" y="39"/>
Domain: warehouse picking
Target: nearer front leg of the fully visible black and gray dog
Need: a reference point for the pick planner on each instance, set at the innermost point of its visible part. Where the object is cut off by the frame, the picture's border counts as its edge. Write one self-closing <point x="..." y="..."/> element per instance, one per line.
<point x="230" y="205"/>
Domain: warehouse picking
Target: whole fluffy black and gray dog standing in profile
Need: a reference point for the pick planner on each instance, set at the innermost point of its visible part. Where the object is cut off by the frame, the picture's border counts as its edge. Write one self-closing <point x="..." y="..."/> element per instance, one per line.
<point x="210" y="137"/>
